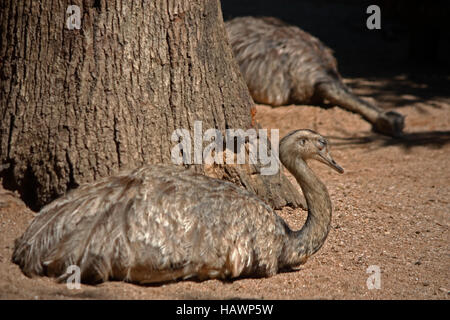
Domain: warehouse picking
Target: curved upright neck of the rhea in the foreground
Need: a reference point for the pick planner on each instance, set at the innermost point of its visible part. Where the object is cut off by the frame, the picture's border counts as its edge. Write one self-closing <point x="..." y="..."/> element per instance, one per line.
<point x="310" y="238"/>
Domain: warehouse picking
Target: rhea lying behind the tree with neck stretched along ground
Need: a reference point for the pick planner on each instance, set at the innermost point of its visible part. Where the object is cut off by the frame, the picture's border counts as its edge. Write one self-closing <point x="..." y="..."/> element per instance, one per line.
<point x="283" y="64"/>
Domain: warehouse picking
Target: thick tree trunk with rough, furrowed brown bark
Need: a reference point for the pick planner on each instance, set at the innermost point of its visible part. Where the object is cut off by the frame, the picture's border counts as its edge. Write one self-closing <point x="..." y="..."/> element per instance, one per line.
<point x="81" y="104"/>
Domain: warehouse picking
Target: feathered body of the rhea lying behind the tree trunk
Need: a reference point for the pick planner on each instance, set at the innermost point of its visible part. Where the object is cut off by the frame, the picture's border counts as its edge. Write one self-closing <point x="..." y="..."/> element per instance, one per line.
<point x="281" y="64"/>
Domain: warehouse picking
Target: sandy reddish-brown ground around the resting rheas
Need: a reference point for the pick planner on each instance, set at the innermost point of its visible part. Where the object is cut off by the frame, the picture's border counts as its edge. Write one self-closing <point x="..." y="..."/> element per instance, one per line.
<point x="391" y="209"/>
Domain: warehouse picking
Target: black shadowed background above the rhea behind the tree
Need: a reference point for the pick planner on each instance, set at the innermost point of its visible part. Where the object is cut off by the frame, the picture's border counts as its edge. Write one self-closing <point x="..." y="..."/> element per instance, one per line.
<point x="413" y="39"/>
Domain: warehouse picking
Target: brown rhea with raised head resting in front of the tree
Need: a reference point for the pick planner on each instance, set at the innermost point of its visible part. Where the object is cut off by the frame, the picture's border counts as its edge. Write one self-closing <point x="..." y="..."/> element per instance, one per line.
<point x="161" y="223"/>
